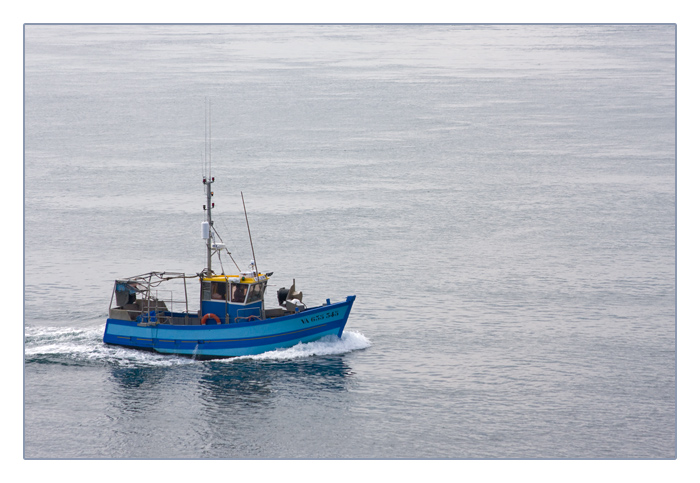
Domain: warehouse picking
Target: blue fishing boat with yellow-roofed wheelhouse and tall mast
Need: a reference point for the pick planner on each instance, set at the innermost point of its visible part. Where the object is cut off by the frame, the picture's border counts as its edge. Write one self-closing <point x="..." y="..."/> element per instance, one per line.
<point x="151" y="311"/>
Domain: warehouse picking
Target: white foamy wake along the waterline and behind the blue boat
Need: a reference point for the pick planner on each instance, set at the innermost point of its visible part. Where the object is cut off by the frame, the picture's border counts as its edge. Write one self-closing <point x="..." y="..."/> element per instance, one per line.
<point x="84" y="346"/>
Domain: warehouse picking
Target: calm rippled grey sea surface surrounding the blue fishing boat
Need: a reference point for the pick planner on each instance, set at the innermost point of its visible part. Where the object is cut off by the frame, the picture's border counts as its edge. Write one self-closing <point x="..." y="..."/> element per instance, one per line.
<point x="500" y="198"/>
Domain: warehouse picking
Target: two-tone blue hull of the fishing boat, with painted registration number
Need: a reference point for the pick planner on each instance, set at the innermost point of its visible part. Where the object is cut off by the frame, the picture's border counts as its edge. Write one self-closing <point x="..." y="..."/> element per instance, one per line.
<point x="235" y="339"/>
